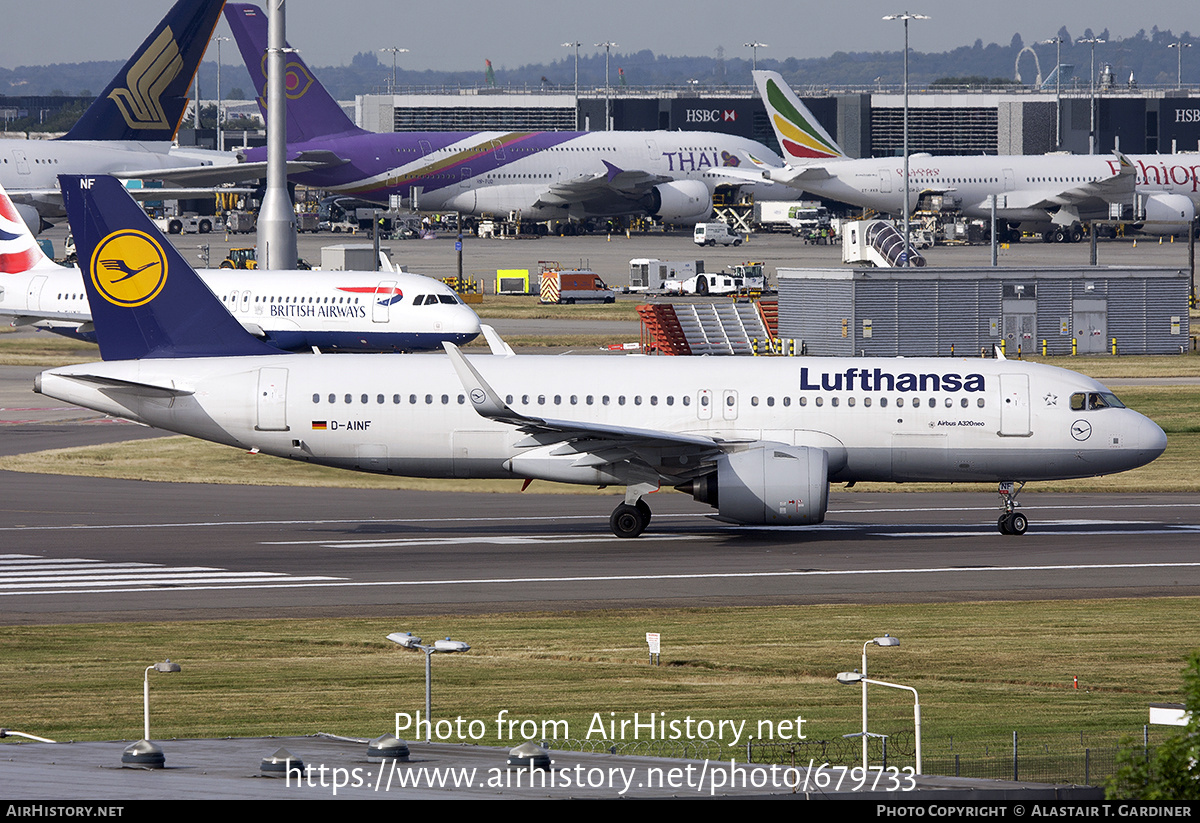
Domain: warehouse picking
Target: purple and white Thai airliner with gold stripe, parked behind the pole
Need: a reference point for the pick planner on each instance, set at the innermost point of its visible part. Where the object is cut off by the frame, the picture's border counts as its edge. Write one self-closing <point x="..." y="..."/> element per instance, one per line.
<point x="544" y="176"/>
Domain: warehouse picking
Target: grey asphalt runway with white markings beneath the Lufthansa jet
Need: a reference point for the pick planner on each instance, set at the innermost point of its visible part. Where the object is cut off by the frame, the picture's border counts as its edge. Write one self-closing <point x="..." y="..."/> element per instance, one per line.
<point x="79" y="550"/>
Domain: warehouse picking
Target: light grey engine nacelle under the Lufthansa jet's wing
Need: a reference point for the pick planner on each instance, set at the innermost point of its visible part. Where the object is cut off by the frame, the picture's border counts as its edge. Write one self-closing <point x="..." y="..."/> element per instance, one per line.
<point x="769" y="486"/>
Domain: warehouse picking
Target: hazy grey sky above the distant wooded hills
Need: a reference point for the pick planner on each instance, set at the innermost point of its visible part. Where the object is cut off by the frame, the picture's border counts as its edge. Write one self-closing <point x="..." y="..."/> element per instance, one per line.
<point x="459" y="34"/>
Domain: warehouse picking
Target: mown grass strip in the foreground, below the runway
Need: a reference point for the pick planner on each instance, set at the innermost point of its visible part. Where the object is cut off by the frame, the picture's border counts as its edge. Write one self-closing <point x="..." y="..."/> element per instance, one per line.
<point x="1005" y="668"/>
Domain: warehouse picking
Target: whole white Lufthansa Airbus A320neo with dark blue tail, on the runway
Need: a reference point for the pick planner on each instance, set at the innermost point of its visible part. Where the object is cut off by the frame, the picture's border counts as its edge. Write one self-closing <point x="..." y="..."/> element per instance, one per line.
<point x="760" y="440"/>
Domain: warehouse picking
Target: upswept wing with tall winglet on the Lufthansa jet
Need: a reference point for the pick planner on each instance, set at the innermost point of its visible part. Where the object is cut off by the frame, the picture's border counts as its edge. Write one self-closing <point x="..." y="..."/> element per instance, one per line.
<point x="675" y="455"/>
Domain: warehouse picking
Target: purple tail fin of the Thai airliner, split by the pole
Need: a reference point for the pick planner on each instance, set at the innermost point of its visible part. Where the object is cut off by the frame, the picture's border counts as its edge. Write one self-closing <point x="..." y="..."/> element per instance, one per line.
<point x="313" y="112"/>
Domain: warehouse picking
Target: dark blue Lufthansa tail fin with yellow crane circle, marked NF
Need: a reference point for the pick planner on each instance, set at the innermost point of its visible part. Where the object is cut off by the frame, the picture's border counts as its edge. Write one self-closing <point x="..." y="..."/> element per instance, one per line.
<point x="146" y="301"/>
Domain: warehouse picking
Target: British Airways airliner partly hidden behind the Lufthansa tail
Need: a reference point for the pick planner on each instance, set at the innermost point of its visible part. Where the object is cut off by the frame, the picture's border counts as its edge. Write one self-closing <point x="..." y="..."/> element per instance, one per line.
<point x="337" y="311"/>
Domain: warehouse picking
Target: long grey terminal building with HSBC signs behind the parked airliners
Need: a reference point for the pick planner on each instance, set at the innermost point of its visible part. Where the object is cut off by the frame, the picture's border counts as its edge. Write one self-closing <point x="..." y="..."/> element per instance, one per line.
<point x="866" y="123"/>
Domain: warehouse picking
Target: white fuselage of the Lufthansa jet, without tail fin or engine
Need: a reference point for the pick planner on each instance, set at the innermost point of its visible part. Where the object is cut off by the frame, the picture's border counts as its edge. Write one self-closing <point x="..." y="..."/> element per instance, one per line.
<point x="878" y="419"/>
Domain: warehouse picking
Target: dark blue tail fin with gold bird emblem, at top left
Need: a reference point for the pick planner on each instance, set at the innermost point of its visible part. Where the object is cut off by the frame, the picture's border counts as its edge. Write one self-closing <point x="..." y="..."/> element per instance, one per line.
<point x="147" y="99"/>
